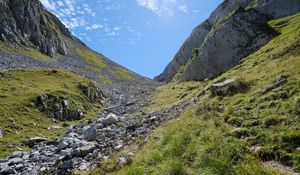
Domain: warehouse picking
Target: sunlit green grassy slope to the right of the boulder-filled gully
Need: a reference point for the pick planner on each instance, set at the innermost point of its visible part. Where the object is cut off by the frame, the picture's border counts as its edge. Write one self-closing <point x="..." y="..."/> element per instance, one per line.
<point x="205" y="140"/>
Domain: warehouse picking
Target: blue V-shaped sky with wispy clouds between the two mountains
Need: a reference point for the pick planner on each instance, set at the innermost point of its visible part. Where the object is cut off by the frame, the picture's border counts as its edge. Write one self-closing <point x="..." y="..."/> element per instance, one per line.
<point x="142" y="35"/>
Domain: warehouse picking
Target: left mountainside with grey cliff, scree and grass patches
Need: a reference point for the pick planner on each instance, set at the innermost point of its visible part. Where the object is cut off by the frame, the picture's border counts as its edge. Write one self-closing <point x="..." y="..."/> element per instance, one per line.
<point x="30" y="36"/>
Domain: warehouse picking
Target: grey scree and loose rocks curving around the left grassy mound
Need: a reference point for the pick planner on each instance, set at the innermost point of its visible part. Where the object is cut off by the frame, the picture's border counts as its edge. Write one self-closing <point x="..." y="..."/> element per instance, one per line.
<point x="86" y="144"/>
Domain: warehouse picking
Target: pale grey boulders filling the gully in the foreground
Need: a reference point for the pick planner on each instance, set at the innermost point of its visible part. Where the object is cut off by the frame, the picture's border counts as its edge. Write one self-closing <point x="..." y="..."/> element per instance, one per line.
<point x="84" y="145"/>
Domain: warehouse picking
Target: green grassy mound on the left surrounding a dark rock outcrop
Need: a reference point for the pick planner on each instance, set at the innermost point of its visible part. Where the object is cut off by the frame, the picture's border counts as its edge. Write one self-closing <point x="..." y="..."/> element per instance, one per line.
<point x="18" y="115"/>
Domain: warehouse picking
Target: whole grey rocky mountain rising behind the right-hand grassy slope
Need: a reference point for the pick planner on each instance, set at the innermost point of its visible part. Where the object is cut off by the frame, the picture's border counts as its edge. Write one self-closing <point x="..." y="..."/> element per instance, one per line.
<point x="234" y="30"/>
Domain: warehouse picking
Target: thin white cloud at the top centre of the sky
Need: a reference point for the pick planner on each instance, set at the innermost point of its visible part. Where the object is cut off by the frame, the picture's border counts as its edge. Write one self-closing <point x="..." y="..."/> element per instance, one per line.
<point x="159" y="7"/>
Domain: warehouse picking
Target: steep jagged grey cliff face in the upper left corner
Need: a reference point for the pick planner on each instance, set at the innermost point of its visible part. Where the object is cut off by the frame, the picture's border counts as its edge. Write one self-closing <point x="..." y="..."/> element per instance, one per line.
<point x="28" y="23"/>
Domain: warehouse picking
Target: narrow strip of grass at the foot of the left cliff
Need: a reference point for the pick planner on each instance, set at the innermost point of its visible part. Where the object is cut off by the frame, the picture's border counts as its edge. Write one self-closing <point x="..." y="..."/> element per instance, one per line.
<point x="24" y="51"/>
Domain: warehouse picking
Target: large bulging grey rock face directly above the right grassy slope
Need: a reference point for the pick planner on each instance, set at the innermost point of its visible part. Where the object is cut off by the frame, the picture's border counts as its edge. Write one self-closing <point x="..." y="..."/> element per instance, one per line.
<point x="233" y="39"/>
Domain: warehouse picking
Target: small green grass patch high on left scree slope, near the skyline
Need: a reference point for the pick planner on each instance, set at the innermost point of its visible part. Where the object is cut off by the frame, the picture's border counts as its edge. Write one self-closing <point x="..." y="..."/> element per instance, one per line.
<point x="95" y="60"/>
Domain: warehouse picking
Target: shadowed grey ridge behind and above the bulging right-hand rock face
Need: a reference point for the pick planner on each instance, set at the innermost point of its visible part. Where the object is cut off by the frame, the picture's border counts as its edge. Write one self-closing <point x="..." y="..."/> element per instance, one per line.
<point x="270" y="9"/>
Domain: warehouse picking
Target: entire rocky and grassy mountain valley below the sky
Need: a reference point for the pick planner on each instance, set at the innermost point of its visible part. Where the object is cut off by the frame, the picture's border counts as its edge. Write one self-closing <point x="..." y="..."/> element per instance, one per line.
<point x="228" y="103"/>
